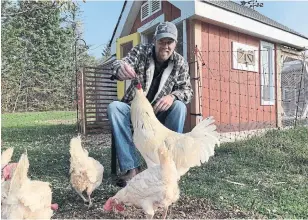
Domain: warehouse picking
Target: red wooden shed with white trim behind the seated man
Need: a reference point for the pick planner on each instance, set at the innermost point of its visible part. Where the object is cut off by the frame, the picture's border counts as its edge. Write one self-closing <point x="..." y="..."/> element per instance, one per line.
<point x="233" y="51"/>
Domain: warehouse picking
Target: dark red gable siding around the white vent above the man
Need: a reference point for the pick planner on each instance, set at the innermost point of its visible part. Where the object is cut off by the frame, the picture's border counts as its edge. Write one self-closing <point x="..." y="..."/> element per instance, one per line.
<point x="171" y="12"/>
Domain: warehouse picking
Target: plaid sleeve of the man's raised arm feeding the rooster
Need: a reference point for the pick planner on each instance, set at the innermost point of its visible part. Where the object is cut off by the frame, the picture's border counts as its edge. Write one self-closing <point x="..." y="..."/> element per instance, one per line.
<point x="132" y="59"/>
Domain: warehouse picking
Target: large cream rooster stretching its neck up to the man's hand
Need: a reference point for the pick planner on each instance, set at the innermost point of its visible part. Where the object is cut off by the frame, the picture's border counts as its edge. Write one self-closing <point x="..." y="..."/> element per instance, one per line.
<point x="188" y="150"/>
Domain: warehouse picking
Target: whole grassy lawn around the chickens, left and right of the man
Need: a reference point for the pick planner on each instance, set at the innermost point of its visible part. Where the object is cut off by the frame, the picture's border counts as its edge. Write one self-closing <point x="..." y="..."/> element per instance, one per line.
<point x="264" y="177"/>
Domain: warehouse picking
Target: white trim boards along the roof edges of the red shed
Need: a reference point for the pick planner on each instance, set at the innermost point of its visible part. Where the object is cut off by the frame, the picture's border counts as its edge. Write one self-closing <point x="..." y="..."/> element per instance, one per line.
<point x="215" y="15"/>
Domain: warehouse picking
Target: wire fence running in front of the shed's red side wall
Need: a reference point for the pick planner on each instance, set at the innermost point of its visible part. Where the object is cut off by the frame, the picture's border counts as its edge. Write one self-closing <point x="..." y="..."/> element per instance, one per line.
<point x="250" y="91"/>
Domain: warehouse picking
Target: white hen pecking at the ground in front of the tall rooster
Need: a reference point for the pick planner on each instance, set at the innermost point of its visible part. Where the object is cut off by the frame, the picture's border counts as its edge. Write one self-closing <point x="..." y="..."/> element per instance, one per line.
<point x="155" y="187"/>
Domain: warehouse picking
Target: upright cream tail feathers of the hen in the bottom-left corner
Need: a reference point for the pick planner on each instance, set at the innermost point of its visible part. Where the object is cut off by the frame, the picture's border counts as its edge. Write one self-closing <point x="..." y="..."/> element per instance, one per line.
<point x="21" y="173"/>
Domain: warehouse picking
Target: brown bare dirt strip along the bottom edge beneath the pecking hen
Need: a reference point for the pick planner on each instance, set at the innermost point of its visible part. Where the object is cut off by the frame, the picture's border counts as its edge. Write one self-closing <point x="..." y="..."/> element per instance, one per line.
<point x="185" y="208"/>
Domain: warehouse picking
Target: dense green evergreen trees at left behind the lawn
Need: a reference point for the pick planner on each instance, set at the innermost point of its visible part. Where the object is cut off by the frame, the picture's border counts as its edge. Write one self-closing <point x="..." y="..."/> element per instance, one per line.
<point x="36" y="57"/>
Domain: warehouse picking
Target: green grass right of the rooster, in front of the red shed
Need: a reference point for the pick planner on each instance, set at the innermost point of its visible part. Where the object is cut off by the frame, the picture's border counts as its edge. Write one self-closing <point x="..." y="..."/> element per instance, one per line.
<point x="267" y="175"/>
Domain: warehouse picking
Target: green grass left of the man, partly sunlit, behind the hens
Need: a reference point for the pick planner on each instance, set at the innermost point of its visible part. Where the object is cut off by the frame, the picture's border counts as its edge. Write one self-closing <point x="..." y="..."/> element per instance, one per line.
<point x="47" y="145"/>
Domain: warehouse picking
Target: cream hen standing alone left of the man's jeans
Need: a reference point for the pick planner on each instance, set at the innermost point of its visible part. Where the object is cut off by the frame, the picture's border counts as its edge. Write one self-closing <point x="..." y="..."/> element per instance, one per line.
<point x="86" y="173"/>
